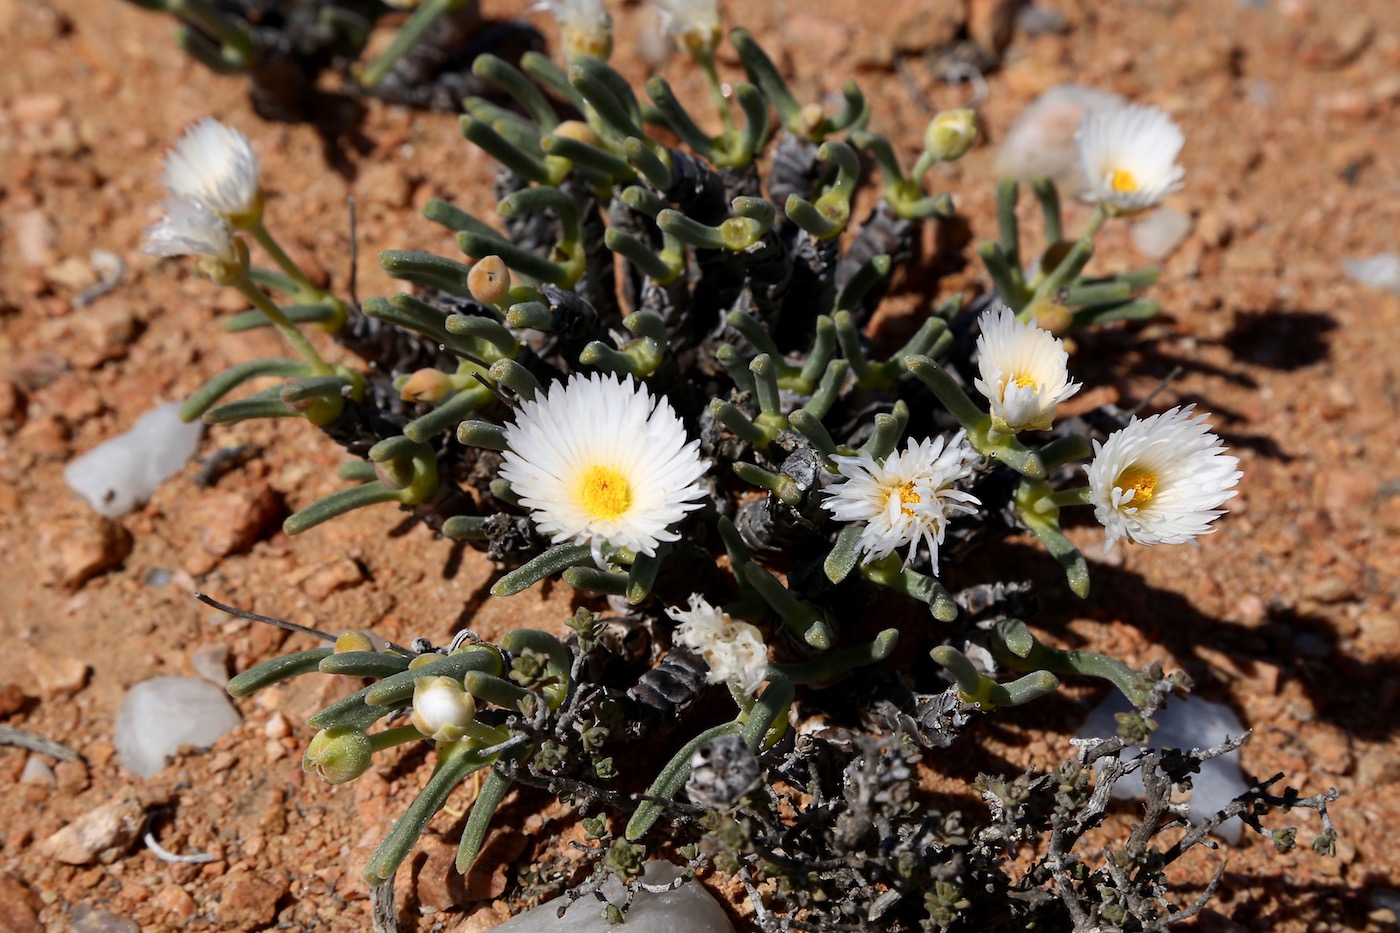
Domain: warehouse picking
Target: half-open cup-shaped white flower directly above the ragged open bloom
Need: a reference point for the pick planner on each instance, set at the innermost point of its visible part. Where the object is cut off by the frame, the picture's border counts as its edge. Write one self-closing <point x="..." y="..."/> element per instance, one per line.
<point x="1024" y="372"/>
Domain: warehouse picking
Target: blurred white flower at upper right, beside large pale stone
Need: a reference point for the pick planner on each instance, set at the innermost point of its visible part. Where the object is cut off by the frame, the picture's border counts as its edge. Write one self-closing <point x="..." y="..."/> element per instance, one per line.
<point x="1129" y="155"/>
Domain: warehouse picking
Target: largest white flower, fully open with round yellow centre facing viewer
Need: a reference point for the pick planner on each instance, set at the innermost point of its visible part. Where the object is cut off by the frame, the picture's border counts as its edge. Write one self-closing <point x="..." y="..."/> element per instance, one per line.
<point x="601" y="462"/>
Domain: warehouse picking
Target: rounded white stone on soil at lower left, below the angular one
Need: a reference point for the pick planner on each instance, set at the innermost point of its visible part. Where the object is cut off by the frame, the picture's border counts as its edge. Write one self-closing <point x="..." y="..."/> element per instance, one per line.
<point x="162" y="715"/>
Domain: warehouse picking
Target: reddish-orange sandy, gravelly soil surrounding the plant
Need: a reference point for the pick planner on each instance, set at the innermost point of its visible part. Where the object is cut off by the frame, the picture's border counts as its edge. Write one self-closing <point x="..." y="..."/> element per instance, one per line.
<point x="1289" y="614"/>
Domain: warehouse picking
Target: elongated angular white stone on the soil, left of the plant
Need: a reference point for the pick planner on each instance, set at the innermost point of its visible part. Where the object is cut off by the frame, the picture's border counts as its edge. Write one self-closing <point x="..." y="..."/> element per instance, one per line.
<point x="121" y="473"/>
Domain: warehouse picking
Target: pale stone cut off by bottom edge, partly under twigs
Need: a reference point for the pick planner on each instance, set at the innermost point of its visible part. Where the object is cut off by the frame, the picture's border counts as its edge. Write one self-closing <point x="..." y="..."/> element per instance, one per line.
<point x="687" y="910"/>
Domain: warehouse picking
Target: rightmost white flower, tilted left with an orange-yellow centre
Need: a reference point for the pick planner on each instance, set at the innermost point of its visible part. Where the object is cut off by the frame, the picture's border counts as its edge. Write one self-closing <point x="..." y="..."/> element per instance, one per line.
<point x="1161" y="480"/>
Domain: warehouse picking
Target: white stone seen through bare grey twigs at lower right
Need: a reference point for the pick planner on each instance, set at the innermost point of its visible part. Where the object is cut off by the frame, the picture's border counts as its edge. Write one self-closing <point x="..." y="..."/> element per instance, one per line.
<point x="1195" y="724"/>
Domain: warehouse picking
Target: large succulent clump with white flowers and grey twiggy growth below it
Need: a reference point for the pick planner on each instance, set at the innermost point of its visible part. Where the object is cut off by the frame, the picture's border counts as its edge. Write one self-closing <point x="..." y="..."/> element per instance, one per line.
<point x="656" y="380"/>
